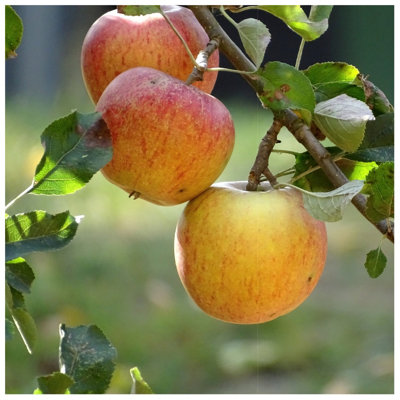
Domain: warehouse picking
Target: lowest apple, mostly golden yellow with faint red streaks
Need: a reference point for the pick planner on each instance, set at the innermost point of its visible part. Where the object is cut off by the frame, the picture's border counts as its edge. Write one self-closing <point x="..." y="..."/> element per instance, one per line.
<point x="249" y="257"/>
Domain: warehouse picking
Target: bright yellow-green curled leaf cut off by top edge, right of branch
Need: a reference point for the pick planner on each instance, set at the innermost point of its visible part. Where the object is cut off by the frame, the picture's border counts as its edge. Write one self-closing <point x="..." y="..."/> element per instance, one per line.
<point x="309" y="28"/>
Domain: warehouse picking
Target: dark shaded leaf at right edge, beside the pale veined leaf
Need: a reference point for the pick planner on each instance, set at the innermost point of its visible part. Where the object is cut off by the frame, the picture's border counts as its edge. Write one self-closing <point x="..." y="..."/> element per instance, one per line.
<point x="378" y="143"/>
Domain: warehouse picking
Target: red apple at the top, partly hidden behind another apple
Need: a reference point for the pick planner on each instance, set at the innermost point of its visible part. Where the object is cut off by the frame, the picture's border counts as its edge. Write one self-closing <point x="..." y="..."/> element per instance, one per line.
<point x="117" y="42"/>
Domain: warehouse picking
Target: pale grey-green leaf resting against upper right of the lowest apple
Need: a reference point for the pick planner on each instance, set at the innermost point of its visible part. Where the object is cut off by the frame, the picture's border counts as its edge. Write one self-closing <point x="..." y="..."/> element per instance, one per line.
<point x="329" y="206"/>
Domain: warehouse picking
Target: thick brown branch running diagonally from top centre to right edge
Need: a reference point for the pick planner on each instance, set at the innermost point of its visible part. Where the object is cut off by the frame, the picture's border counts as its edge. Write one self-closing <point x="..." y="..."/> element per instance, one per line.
<point x="287" y="117"/>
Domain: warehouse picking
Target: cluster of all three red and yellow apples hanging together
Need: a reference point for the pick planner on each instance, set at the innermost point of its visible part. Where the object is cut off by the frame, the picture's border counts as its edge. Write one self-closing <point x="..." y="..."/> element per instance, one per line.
<point x="244" y="257"/>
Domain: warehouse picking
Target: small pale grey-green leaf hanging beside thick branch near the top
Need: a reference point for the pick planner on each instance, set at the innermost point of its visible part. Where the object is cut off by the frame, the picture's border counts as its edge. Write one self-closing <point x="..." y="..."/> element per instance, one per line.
<point x="255" y="37"/>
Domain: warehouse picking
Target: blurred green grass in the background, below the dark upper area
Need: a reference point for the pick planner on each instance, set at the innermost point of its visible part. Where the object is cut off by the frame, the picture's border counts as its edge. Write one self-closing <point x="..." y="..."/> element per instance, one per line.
<point x="119" y="273"/>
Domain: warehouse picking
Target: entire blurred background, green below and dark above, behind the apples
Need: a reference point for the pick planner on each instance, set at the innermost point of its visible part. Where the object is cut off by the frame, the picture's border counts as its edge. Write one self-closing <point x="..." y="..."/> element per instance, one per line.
<point x="119" y="271"/>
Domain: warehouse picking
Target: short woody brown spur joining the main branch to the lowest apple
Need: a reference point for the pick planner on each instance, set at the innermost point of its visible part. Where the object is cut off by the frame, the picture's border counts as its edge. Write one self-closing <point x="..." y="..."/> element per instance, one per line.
<point x="260" y="165"/>
